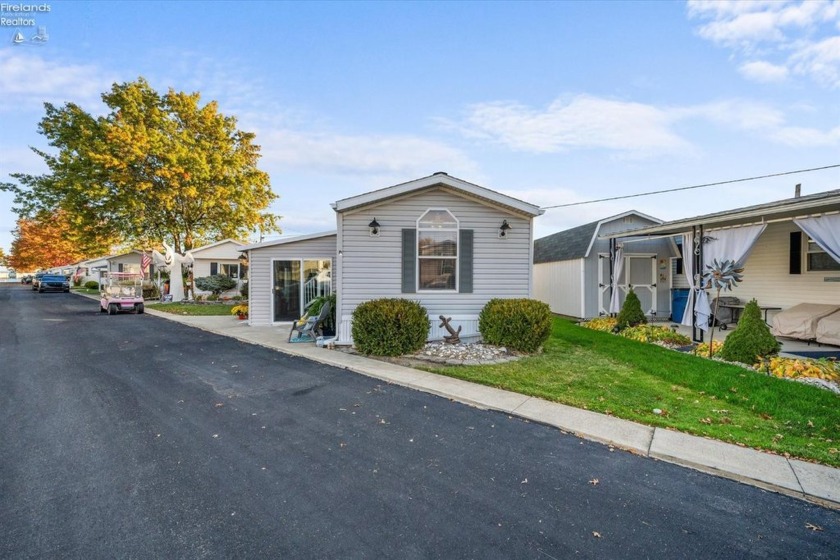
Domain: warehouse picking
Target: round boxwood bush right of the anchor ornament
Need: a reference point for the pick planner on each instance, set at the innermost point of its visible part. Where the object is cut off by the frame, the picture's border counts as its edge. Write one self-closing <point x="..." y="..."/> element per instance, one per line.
<point x="519" y="324"/>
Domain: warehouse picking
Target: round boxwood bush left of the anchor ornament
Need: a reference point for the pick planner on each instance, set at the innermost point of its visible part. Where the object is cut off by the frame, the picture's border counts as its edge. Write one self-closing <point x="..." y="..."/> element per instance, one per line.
<point x="390" y="327"/>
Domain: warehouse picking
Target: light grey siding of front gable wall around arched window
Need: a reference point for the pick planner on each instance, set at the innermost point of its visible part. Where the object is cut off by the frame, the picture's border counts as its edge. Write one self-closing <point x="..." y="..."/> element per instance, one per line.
<point x="371" y="268"/>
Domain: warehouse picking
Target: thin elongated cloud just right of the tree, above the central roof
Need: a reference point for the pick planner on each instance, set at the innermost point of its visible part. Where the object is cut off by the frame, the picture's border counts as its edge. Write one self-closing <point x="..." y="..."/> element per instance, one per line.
<point x="361" y="154"/>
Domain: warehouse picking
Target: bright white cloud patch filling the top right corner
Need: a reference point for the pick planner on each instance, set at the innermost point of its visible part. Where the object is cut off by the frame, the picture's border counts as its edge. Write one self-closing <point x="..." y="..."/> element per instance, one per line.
<point x="801" y="37"/>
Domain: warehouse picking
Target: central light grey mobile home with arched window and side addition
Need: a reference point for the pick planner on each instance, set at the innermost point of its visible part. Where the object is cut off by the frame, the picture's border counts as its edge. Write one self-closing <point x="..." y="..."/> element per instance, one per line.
<point x="447" y="243"/>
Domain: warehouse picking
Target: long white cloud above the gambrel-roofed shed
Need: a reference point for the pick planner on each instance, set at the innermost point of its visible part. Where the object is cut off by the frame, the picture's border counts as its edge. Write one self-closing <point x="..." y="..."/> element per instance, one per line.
<point x="584" y="122"/>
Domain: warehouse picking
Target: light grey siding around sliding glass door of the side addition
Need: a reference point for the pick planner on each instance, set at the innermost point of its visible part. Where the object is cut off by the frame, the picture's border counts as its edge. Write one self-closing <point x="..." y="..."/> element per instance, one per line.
<point x="260" y="271"/>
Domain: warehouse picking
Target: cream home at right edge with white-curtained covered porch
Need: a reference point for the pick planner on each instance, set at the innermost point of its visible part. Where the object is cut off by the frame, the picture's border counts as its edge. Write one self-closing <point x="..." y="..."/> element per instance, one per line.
<point x="790" y="249"/>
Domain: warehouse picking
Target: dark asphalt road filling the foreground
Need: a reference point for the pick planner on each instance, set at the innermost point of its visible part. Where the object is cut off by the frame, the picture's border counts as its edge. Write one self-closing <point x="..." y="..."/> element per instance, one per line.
<point x="135" y="437"/>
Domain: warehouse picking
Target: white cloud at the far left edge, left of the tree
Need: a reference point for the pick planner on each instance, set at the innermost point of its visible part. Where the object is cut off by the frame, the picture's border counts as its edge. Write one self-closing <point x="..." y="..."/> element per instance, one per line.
<point x="28" y="79"/>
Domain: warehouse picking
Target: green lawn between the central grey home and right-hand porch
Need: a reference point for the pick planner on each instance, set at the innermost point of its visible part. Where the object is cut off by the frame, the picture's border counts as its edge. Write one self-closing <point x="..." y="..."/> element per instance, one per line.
<point x="627" y="379"/>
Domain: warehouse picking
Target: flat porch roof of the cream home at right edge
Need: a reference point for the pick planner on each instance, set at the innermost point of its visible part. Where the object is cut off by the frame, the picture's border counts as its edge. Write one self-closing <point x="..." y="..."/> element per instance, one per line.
<point x="781" y="210"/>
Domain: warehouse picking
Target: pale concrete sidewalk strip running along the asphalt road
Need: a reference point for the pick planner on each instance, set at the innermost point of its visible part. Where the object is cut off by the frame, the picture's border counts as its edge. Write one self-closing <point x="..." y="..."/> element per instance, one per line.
<point x="816" y="483"/>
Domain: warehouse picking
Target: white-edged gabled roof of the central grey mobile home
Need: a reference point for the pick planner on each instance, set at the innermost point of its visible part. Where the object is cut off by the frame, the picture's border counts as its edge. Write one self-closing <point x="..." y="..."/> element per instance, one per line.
<point x="439" y="179"/>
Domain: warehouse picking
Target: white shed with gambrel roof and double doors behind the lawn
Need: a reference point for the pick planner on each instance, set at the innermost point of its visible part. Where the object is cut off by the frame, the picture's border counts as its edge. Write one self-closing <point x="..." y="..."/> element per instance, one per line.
<point x="573" y="269"/>
